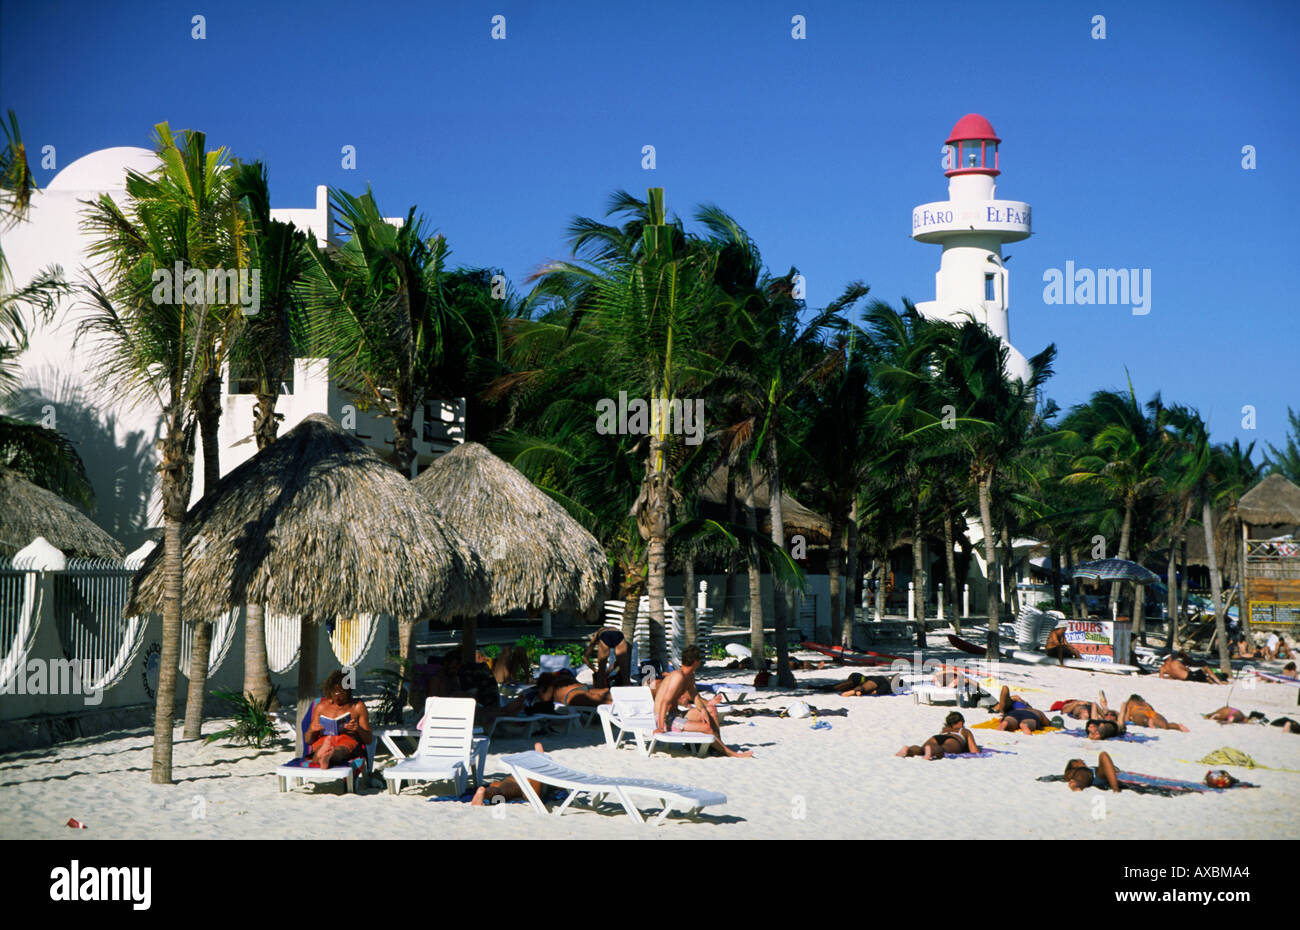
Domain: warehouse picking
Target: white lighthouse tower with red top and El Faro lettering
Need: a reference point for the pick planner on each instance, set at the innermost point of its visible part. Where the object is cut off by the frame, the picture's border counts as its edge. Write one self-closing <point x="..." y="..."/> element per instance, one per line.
<point x="972" y="226"/>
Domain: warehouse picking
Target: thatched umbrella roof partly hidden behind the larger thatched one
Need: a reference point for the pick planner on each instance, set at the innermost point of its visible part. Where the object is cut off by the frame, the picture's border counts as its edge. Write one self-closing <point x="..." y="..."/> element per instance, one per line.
<point x="536" y="555"/>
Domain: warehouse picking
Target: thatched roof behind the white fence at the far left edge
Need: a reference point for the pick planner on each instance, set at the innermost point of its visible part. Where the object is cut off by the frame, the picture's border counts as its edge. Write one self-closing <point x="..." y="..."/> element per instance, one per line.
<point x="28" y="512"/>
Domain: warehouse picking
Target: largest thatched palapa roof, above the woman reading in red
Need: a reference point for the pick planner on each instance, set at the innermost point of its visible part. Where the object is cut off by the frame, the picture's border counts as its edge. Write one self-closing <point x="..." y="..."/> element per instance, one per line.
<point x="317" y="525"/>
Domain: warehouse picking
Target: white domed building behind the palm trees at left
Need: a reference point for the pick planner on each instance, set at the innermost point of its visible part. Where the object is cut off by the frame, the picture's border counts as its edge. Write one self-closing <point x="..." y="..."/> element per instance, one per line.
<point x="116" y="435"/>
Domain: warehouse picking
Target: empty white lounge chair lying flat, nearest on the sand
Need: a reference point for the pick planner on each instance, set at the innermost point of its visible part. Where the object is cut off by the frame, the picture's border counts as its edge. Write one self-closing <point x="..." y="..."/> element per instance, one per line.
<point x="541" y="768"/>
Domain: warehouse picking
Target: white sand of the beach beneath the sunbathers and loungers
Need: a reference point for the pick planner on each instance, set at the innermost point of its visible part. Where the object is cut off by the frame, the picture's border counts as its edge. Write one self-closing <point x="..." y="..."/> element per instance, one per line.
<point x="844" y="782"/>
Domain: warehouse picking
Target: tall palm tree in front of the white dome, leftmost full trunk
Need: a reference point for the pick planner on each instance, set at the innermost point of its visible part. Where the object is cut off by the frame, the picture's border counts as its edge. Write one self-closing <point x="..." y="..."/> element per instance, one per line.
<point x="157" y="347"/>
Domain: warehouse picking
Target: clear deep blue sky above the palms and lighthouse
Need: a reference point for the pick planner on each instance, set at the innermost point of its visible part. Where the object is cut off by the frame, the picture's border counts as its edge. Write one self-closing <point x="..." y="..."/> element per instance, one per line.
<point x="1128" y="148"/>
